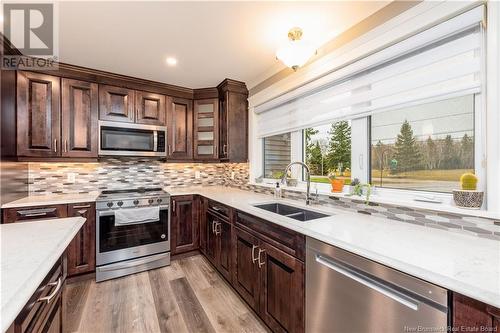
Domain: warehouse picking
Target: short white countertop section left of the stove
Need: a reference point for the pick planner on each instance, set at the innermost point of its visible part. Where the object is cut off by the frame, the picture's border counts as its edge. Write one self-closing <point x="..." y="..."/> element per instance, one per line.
<point x="52" y="199"/>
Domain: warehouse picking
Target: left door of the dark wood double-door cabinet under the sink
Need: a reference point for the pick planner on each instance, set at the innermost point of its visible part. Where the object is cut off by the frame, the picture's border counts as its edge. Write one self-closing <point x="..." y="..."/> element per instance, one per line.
<point x="246" y="273"/>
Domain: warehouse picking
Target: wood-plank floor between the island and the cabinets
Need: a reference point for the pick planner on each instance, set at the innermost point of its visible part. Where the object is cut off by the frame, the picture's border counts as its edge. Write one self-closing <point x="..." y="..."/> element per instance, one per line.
<point x="188" y="296"/>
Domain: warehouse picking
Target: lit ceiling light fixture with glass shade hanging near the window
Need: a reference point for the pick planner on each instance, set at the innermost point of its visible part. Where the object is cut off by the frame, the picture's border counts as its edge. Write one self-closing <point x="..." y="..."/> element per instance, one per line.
<point x="297" y="52"/>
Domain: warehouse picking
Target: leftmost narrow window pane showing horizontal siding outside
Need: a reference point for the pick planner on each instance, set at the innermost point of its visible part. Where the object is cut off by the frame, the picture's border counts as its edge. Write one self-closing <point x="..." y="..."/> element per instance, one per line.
<point x="277" y="155"/>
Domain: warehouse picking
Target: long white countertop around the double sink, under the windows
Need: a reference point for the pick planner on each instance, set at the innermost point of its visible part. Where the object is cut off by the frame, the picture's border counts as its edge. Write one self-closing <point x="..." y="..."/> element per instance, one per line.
<point x="459" y="262"/>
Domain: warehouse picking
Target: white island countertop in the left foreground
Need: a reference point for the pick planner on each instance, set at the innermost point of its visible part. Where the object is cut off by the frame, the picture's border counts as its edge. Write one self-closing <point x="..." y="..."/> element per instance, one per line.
<point x="28" y="251"/>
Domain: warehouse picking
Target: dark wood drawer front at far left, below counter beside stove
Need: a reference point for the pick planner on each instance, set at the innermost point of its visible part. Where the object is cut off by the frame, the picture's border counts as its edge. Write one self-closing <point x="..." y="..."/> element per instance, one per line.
<point x="11" y="215"/>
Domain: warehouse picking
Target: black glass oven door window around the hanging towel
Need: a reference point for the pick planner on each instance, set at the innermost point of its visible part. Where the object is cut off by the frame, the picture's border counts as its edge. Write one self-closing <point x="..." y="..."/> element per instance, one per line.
<point x="113" y="237"/>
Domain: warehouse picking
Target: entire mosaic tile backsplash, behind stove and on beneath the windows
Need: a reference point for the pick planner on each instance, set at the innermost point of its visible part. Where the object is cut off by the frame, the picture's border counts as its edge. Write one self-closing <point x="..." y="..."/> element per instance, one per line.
<point x="52" y="178"/>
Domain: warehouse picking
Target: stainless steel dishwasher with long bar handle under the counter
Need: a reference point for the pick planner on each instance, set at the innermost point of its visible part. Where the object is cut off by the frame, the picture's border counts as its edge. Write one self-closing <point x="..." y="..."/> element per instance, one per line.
<point x="348" y="293"/>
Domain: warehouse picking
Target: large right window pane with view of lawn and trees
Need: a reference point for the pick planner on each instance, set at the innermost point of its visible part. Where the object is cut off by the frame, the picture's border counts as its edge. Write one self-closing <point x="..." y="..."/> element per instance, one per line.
<point x="424" y="147"/>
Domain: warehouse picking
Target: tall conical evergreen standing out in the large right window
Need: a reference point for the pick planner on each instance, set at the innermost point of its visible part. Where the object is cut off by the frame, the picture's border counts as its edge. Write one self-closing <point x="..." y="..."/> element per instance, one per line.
<point x="407" y="153"/>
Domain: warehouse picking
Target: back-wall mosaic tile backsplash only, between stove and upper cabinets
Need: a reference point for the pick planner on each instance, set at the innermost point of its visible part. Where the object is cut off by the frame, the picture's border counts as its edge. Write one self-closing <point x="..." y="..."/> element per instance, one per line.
<point x="112" y="174"/>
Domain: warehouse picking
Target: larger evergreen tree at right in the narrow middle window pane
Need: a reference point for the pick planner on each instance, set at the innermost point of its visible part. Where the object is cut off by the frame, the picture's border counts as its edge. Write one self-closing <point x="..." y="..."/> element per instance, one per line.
<point x="339" y="148"/>
